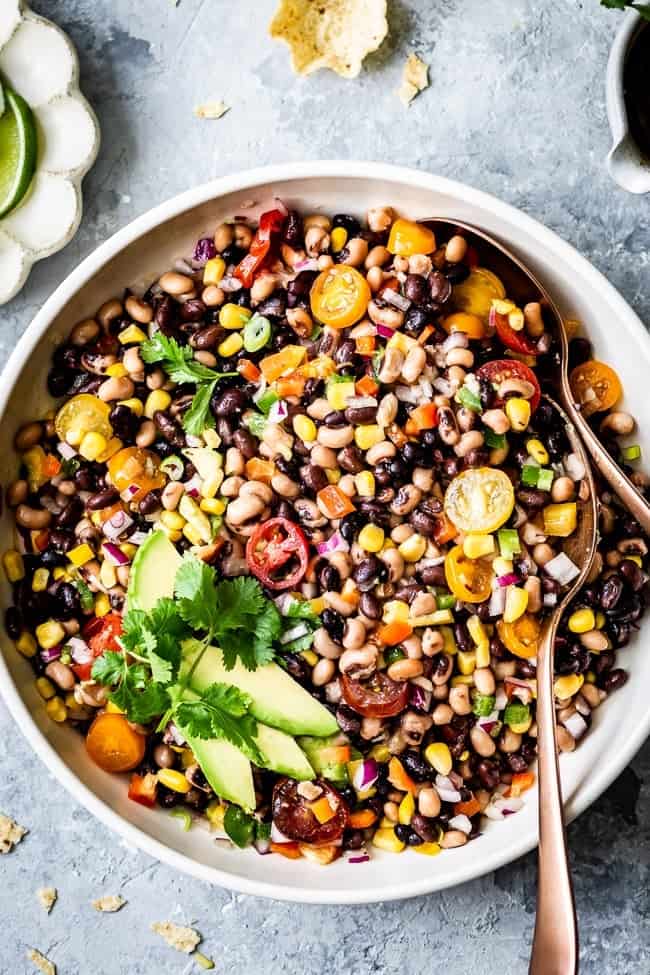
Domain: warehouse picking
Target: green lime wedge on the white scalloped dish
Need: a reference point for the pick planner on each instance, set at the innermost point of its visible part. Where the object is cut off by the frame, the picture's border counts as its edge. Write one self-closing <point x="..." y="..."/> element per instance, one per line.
<point x="18" y="145"/>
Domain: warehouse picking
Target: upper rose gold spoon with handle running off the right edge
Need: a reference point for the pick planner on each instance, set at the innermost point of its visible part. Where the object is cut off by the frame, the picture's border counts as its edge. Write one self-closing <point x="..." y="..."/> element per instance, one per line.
<point x="522" y="287"/>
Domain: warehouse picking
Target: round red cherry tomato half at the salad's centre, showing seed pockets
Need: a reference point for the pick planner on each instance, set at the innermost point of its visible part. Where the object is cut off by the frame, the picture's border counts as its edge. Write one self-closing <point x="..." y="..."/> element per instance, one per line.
<point x="278" y="553"/>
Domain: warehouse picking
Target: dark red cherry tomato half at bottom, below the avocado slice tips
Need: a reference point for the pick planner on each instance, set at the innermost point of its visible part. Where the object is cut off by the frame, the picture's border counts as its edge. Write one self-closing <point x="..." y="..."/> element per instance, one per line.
<point x="293" y="817"/>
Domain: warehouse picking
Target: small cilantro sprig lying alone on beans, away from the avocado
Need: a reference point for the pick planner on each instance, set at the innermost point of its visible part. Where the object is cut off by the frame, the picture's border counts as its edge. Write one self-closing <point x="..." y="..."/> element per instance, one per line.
<point x="181" y="367"/>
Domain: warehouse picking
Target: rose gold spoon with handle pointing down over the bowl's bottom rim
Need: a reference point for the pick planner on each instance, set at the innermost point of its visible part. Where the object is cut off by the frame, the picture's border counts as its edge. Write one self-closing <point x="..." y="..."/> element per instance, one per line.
<point x="555" y="943"/>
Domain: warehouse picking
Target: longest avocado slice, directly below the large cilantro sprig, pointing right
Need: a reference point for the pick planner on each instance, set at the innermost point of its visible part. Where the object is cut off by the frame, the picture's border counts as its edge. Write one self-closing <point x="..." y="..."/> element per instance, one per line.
<point x="278" y="700"/>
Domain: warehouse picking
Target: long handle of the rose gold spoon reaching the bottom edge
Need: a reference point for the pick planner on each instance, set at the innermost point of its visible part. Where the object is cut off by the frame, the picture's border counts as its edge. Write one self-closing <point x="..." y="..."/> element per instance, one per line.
<point x="555" y="943"/>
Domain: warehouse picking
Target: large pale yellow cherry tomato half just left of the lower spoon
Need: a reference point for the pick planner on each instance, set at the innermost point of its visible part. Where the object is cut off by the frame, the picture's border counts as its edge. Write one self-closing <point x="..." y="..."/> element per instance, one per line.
<point x="479" y="499"/>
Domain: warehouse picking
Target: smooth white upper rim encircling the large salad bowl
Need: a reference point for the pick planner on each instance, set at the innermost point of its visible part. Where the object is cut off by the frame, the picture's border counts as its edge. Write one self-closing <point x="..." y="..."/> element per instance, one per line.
<point x="599" y="778"/>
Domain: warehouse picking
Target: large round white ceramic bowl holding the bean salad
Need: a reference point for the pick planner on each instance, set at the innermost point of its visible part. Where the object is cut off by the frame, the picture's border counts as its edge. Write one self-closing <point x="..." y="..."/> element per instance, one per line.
<point x="135" y="255"/>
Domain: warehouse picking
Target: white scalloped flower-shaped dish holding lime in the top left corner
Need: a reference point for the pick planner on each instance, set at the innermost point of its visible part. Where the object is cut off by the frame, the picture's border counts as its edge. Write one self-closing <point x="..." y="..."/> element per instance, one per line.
<point x="40" y="63"/>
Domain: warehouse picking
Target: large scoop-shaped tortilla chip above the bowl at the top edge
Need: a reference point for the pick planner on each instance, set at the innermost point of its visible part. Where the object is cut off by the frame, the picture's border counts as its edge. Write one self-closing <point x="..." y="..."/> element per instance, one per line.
<point x="334" y="34"/>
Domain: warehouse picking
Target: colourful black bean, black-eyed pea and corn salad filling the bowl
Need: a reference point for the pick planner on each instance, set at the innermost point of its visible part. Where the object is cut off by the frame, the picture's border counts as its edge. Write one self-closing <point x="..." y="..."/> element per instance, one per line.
<point x="350" y="412"/>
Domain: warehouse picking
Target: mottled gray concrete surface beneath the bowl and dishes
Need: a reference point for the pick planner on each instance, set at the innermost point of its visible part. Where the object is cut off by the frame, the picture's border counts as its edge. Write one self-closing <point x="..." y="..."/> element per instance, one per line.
<point x="516" y="107"/>
